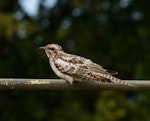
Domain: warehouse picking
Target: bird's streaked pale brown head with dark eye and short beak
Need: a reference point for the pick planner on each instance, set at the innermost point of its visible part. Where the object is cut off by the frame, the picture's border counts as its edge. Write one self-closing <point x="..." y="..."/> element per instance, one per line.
<point x="52" y="50"/>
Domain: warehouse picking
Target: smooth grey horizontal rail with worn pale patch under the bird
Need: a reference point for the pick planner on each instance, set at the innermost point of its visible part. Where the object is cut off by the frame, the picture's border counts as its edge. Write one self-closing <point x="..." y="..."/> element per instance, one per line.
<point x="59" y="84"/>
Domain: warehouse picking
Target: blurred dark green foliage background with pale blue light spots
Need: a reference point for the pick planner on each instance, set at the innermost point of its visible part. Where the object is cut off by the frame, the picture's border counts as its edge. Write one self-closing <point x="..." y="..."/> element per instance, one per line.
<point x="113" y="33"/>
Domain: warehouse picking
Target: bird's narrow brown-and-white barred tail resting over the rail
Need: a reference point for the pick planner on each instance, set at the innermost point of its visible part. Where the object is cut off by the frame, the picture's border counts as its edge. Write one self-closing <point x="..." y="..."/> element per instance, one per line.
<point x="114" y="79"/>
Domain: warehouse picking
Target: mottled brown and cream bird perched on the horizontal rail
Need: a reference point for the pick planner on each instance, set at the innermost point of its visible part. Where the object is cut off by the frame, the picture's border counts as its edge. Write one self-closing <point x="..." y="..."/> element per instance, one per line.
<point x="70" y="67"/>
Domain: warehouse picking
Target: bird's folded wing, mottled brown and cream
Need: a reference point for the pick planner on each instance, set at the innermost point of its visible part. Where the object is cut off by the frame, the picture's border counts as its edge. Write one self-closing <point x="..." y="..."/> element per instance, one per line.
<point x="80" y="67"/>
